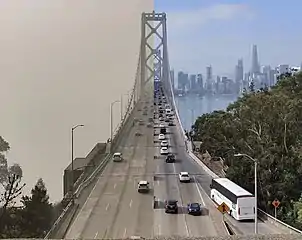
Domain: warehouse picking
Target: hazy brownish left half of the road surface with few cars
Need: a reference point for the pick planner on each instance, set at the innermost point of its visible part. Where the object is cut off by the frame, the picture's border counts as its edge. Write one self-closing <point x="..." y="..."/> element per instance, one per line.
<point x="114" y="208"/>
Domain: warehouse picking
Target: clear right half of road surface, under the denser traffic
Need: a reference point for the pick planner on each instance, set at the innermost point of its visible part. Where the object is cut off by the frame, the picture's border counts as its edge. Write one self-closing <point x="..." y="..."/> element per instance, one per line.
<point x="167" y="186"/>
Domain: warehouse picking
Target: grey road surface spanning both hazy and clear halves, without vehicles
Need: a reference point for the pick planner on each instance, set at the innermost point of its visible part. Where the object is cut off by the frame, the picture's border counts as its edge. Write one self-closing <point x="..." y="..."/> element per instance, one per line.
<point x="114" y="208"/>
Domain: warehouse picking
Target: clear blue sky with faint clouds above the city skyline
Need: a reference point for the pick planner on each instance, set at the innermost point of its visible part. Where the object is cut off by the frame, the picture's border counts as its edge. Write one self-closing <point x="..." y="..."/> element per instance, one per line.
<point x="218" y="33"/>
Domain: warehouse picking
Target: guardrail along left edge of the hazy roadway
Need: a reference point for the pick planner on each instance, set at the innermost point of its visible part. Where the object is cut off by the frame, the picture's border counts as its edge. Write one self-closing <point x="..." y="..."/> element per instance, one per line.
<point x="77" y="193"/>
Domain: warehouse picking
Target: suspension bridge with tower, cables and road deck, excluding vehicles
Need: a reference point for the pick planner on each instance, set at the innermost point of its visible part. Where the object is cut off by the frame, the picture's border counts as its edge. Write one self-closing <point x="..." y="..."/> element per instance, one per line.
<point x="106" y="205"/>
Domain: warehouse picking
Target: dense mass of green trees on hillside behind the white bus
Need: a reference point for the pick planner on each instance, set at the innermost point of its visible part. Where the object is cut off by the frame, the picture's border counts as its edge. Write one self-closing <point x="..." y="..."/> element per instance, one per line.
<point x="265" y="125"/>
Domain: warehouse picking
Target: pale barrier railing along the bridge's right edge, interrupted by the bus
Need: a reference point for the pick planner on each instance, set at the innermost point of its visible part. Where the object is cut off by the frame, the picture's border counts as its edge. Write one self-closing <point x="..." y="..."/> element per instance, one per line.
<point x="264" y="216"/>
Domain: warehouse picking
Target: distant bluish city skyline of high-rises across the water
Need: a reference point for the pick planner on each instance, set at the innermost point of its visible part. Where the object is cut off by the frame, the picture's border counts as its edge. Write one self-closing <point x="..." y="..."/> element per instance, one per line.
<point x="262" y="76"/>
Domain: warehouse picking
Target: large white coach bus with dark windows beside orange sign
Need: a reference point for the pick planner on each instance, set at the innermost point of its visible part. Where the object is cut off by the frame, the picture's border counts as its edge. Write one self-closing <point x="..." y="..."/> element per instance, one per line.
<point x="240" y="201"/>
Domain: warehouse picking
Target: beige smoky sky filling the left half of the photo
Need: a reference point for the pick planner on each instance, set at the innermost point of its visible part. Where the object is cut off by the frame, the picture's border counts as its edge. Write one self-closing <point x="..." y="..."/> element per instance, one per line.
<point x="62" y="63"/>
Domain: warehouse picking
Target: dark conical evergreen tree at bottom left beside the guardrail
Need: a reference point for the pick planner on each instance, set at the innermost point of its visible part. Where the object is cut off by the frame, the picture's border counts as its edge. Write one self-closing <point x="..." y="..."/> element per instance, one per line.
<point x="37" y="212"/>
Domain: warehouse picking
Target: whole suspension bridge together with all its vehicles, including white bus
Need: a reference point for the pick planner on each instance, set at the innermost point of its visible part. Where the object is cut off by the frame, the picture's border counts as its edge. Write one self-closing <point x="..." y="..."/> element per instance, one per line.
<point x="152" y="184"/>
